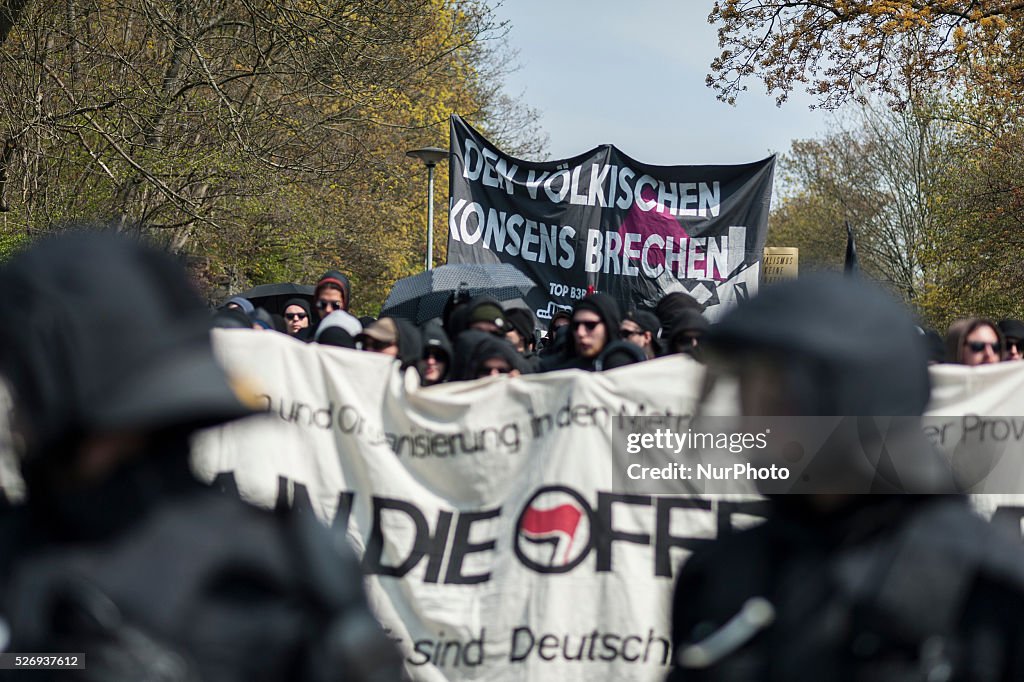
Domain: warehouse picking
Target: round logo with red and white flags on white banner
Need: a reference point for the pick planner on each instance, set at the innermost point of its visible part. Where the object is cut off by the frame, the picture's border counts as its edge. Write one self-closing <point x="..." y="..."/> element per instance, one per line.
<point x="553" y="533"/>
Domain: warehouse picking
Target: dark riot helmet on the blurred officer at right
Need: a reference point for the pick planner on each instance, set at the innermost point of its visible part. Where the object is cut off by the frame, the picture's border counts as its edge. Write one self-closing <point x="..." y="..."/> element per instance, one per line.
<point x="859" y="347"/>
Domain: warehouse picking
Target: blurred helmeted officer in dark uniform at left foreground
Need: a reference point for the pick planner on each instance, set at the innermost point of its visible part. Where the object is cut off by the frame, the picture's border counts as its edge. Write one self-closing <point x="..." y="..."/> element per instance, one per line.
<point x="119" y="553"/>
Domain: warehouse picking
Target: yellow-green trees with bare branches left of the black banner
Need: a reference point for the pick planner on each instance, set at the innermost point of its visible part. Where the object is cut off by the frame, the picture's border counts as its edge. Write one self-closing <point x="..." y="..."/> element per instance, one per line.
<point x="263" y="140"/>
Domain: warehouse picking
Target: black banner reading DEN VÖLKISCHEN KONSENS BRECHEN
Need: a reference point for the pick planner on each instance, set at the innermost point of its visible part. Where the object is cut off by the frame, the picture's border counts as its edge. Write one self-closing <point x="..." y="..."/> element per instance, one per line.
<point x="602" y="220"/>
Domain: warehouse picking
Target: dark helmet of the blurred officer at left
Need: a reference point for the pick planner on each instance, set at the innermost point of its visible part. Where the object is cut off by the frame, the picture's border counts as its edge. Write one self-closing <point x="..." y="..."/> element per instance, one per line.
<point x="110" y="337"/>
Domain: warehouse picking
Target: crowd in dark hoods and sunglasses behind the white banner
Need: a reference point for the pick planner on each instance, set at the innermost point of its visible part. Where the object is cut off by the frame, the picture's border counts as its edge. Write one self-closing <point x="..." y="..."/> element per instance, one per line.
<point x="595" y="335"/>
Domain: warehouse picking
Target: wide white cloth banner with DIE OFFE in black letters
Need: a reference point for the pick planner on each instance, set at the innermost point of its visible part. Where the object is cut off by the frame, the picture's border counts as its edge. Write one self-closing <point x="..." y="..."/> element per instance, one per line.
<point x="484" y="513"/>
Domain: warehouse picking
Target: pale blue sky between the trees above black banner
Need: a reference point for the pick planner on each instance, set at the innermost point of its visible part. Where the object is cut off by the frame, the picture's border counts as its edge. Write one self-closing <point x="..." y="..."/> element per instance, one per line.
<point x="632" y="73"/>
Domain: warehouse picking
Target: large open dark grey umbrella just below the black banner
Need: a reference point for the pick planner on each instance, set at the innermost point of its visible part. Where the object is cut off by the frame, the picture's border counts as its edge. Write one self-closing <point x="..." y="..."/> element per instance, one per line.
<point x="423" y="296"/>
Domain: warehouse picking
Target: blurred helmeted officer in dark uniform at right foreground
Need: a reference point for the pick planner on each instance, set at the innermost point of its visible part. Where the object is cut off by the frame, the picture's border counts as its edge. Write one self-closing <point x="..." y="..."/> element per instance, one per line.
<point x="847" y="587"/>
